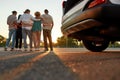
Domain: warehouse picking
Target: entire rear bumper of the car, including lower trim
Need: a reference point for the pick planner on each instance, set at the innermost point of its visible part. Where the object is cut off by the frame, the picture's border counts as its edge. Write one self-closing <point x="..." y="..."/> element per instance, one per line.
<point x="91" y="18"/>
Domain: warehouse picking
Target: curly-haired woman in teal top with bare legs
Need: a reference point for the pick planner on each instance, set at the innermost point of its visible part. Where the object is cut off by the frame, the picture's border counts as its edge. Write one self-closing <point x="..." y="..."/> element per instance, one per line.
<point x="36" y="31"/>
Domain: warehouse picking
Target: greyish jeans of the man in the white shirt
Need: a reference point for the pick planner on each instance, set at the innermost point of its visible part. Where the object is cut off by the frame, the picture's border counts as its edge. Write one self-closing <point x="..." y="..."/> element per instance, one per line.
<point x="26" y="32"/>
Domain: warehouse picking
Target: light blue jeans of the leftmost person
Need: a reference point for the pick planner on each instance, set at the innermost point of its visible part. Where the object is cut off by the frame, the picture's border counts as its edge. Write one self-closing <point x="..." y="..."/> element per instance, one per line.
<point x="12" y="34"/>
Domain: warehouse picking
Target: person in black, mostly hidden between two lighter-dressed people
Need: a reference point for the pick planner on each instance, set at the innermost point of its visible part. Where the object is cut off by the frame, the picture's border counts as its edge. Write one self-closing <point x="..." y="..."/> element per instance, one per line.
<point x="18" y="45"/>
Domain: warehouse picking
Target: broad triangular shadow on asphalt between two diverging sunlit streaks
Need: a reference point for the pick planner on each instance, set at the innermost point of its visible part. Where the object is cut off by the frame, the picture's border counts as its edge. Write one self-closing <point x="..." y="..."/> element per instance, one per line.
<point x="49" y="67"/>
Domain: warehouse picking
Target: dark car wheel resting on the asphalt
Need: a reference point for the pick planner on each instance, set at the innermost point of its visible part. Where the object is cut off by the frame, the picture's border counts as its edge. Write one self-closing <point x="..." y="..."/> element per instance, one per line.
<point x="96" y="46"/>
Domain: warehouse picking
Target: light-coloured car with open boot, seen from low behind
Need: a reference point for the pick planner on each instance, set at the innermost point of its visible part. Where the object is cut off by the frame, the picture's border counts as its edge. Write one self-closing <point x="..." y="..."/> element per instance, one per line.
<point x="94" y="22"/>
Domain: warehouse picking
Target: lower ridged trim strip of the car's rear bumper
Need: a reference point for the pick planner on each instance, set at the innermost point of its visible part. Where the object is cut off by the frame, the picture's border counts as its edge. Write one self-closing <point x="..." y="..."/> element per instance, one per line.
<point x="81" y="26"/>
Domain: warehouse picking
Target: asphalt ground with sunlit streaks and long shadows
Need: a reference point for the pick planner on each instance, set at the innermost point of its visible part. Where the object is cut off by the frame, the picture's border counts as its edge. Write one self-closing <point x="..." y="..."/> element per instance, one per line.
<point x="60" y="64"/>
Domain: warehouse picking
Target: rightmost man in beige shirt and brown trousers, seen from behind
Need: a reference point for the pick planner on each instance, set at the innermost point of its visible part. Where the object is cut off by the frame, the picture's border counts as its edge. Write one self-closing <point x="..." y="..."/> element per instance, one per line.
<point x="47" y="28"/>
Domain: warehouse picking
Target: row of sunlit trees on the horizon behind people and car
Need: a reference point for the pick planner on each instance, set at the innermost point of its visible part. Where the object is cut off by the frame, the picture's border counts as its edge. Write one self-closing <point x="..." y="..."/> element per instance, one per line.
<point x="62" y="42"/>
